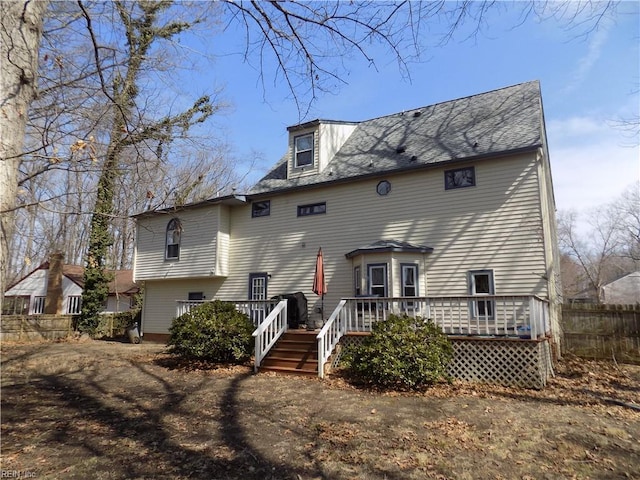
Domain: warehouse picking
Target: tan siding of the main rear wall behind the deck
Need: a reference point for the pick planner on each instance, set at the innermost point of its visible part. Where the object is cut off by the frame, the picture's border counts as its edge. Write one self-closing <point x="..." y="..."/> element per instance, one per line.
<point x="495" y="225"/>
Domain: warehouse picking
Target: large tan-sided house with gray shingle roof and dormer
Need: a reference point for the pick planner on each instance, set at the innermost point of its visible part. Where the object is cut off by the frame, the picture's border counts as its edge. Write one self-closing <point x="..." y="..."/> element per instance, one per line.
<point x="449" y="200"/>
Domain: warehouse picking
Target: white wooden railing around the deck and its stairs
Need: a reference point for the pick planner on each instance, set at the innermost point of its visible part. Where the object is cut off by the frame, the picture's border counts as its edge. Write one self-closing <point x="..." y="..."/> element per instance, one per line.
<point x="525" y="316"/>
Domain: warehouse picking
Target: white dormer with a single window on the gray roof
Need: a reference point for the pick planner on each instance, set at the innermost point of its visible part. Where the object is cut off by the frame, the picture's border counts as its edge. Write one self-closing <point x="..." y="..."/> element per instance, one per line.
<point x="312" y="145"/>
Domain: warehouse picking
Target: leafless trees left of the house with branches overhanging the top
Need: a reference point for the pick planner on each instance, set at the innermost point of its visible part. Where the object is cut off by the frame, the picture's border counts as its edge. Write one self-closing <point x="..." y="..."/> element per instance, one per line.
<point x="96" y="126"/>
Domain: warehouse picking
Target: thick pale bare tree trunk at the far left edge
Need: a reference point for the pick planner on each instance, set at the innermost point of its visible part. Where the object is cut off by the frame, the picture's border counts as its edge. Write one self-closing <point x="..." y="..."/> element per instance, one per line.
<point x="20" y="33"/>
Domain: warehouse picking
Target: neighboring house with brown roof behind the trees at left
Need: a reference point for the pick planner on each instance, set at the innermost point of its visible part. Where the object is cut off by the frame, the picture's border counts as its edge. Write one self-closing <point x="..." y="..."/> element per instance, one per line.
<point x="28" y="296"/>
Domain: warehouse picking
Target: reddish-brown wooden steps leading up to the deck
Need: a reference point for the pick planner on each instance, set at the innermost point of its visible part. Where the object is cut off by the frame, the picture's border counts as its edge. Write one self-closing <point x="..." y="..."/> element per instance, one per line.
<point x="296" y="352"/>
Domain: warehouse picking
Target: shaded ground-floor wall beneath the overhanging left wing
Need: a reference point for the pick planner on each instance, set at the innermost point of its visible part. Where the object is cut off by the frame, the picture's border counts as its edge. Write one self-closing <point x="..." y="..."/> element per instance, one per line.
<point x="160" y="300"/>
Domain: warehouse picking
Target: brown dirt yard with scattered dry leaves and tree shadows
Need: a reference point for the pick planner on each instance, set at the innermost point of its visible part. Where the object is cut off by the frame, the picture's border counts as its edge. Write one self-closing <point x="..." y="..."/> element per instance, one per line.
<point x="109" y="410"/>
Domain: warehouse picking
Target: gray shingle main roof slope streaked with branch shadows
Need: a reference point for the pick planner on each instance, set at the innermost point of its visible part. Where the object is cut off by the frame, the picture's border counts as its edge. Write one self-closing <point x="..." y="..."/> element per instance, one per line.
<point x="505" y="120"/>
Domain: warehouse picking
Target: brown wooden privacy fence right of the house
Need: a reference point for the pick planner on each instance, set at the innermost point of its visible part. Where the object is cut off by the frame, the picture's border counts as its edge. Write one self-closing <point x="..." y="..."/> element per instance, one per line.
<point x="602" y="331"/>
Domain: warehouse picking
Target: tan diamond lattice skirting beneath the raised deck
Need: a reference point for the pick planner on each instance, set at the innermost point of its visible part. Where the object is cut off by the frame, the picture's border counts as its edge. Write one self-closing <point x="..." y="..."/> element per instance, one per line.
<point x="509" y="362"/>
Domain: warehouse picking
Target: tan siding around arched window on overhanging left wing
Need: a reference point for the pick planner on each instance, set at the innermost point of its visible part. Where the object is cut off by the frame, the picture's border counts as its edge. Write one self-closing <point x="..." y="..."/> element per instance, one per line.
<point x="198" y="245"/>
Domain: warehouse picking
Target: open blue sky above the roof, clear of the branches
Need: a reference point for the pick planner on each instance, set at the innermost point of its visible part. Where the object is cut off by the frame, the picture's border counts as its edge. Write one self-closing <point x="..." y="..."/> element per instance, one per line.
<point x="588" y="84"/>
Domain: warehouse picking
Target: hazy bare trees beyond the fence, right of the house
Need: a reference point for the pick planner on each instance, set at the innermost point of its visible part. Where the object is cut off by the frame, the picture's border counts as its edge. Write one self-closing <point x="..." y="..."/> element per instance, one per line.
<point x="599" y="245"/>
